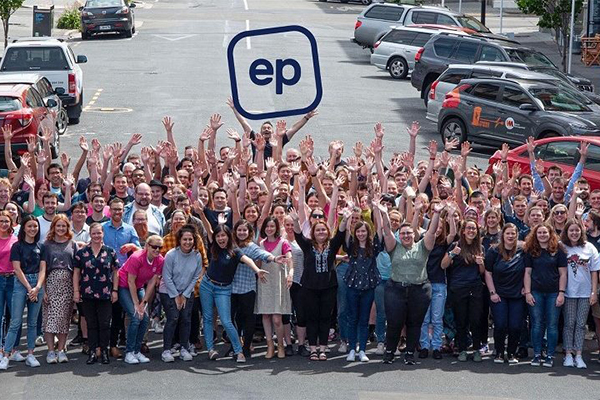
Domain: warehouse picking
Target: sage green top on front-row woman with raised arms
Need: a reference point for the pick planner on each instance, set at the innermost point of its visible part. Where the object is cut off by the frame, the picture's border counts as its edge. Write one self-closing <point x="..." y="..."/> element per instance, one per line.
<point x="409" y="265"/>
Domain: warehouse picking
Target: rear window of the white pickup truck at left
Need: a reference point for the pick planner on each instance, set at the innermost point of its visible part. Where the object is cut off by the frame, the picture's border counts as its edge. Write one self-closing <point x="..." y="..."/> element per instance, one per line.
<point x="35" y="59"/>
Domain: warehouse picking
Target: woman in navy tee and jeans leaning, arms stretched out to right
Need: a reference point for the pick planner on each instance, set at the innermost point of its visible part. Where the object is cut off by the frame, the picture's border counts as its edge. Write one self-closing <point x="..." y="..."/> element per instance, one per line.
<point x="215" y="289"/>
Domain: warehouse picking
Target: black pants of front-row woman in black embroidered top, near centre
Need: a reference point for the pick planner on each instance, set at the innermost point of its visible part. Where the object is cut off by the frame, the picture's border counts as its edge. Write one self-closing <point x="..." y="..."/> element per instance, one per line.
<point x="320" y="302"/>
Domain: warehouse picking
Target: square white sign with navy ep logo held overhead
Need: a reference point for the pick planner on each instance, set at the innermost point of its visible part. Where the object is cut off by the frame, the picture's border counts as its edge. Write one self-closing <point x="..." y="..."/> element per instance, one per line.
<point x="268" y="78"/>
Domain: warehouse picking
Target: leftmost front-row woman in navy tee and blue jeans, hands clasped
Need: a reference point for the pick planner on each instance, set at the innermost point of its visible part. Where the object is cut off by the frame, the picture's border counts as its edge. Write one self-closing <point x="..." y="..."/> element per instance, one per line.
<point x="25" y="256"/>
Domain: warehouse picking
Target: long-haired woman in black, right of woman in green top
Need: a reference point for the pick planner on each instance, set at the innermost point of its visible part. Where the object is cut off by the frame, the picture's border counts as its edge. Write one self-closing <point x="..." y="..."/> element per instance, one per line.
<point x="464" y="264"/>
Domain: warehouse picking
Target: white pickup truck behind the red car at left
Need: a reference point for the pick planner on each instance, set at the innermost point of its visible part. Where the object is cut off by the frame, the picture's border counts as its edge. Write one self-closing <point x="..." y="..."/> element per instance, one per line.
<point x="54" y="59"/>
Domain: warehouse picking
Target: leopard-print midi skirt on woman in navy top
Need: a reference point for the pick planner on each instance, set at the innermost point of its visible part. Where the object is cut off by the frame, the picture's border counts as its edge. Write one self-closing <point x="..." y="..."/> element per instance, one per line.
<point x="56" y="314"/>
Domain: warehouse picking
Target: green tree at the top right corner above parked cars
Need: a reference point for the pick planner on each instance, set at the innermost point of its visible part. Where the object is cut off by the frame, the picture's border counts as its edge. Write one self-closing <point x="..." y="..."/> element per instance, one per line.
<point x="554" y="14"/>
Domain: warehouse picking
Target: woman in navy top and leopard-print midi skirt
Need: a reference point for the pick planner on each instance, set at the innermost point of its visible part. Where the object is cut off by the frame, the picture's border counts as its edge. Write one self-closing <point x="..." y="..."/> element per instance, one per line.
<point x="58" y="260"/>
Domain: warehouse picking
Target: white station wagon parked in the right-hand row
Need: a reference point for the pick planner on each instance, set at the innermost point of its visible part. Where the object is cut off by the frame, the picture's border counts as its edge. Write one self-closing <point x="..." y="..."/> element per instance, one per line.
<point x="395" y="51"/>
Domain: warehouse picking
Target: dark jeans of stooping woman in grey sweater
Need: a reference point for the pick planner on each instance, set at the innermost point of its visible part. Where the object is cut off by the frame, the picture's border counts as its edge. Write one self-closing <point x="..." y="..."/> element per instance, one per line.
<point x="181" y="319"/>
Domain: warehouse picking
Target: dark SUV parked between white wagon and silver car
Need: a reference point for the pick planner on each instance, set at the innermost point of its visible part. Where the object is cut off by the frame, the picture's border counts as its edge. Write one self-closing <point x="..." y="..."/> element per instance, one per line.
<point x="448" y="48"/>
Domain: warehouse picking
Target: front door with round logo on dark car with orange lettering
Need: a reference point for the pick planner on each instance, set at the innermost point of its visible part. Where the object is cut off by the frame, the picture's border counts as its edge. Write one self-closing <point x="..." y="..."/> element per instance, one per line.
<point x="516" y="124"/>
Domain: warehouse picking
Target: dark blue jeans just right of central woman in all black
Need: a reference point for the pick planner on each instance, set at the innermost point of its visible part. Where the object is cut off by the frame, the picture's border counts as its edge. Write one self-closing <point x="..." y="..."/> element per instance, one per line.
<point x="359" y="309"/>
